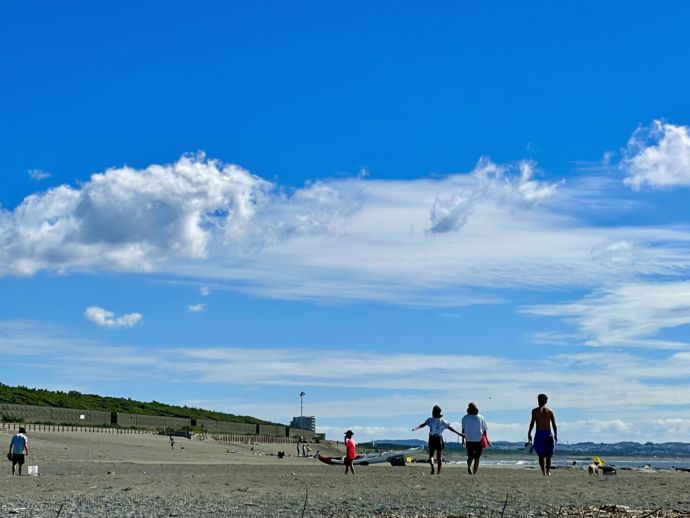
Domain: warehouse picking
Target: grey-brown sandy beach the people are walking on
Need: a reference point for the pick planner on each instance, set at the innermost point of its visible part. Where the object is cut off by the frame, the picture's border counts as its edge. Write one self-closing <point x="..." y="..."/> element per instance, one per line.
<point x="90" y="474"/>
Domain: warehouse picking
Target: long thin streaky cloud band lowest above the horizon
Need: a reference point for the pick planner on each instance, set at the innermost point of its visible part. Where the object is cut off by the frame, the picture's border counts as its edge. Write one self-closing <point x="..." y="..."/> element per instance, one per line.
<point x="507" y="381"/>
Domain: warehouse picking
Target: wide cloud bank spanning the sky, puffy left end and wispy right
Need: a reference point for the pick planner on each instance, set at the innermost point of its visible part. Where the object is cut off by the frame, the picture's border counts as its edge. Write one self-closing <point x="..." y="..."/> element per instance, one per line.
<point x="428" y="241"/>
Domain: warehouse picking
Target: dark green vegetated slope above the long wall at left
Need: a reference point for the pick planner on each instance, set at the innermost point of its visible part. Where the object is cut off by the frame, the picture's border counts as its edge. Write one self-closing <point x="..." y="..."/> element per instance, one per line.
<point x="73" y="399"/>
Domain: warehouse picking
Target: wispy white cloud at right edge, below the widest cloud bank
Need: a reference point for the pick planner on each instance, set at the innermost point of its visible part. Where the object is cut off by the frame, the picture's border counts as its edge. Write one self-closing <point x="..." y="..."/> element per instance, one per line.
<point x="630" y="314"/>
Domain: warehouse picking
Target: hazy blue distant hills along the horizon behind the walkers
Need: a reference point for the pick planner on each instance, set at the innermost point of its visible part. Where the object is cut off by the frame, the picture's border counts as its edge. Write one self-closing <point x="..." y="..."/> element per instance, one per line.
<point x="665" y="449"/>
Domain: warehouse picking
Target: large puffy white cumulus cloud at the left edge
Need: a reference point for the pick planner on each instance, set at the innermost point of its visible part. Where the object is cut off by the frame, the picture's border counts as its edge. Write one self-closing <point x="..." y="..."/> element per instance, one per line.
<point x="129" y="219"/>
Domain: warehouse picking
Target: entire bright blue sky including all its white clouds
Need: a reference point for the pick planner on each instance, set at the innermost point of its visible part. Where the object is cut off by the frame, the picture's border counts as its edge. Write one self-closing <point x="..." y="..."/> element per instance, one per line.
<point x="385" y="205"/>
